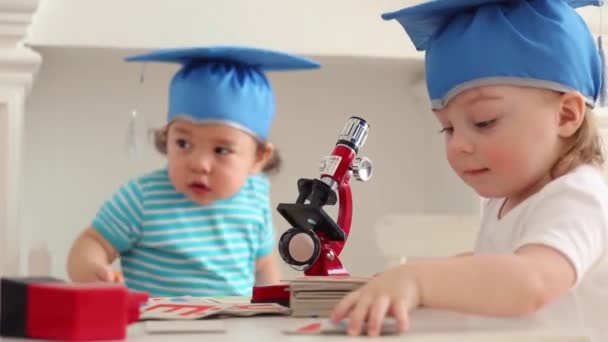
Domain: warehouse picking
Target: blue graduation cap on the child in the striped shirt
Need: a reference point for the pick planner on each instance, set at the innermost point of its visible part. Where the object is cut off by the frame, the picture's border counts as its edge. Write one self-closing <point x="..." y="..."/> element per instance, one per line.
<point x="225" y="84"/>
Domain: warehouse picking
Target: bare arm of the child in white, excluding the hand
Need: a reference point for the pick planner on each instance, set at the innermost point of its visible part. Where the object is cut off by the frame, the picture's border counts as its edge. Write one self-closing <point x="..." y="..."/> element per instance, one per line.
<point x="498" y="285"/>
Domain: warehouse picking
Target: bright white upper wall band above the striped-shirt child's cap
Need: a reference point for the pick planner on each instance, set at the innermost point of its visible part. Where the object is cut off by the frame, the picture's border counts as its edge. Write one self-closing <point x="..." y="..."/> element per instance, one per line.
<point x="319" y="27"/>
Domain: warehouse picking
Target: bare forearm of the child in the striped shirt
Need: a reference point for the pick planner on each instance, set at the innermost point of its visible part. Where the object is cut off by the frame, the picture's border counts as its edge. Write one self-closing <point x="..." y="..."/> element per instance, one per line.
<point x="90" y="258"/>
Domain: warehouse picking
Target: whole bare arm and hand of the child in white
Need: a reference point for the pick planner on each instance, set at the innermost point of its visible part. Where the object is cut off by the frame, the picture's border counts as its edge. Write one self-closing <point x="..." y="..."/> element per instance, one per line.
<point x="499" y="285"/>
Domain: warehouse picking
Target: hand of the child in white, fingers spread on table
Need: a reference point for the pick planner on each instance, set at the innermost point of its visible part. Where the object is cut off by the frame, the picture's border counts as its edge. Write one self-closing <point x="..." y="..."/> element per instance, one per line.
<point x="395" y="292"/>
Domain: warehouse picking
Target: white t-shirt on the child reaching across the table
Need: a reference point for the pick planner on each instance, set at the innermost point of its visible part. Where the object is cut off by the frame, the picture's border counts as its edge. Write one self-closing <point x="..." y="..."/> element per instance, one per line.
<point x="569" y="214"/>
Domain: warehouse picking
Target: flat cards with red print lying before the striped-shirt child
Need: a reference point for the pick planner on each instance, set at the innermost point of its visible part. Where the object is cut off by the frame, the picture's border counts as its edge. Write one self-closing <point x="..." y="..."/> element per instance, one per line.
<point x="191" y="308"/>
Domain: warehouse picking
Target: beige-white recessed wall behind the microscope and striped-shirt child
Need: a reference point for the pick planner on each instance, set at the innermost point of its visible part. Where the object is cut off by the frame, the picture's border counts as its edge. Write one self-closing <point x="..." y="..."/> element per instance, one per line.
<point x="76" y="157"/>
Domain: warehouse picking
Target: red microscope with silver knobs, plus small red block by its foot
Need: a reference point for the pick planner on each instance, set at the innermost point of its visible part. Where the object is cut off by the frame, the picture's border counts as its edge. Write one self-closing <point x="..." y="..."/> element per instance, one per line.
<point x="315" y="240"/>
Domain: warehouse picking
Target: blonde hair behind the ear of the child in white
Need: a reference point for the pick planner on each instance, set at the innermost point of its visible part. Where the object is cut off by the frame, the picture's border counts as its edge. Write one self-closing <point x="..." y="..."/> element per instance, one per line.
<point x="585" y="147"/>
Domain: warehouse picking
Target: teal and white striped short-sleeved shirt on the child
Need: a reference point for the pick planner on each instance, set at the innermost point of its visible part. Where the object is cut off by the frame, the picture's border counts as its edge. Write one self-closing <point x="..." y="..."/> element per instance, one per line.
<point x="171" y="246"/>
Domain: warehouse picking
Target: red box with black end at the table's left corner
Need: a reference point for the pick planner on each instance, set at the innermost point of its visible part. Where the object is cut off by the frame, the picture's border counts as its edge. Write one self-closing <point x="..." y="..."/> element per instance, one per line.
<point x="48" y="308"/>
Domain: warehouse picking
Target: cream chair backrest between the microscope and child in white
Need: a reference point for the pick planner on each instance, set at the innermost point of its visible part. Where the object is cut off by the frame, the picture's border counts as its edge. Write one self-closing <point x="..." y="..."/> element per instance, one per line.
<point x="407" y="236"/>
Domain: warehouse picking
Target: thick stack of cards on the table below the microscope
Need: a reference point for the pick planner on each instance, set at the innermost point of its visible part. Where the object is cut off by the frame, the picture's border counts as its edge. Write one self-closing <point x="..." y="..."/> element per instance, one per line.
<point x="316" y="296"/>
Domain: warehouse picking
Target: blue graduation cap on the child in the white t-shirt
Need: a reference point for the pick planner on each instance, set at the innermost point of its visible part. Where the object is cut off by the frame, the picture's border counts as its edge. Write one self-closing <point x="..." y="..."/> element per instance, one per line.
<point x="469" y="43"/>
